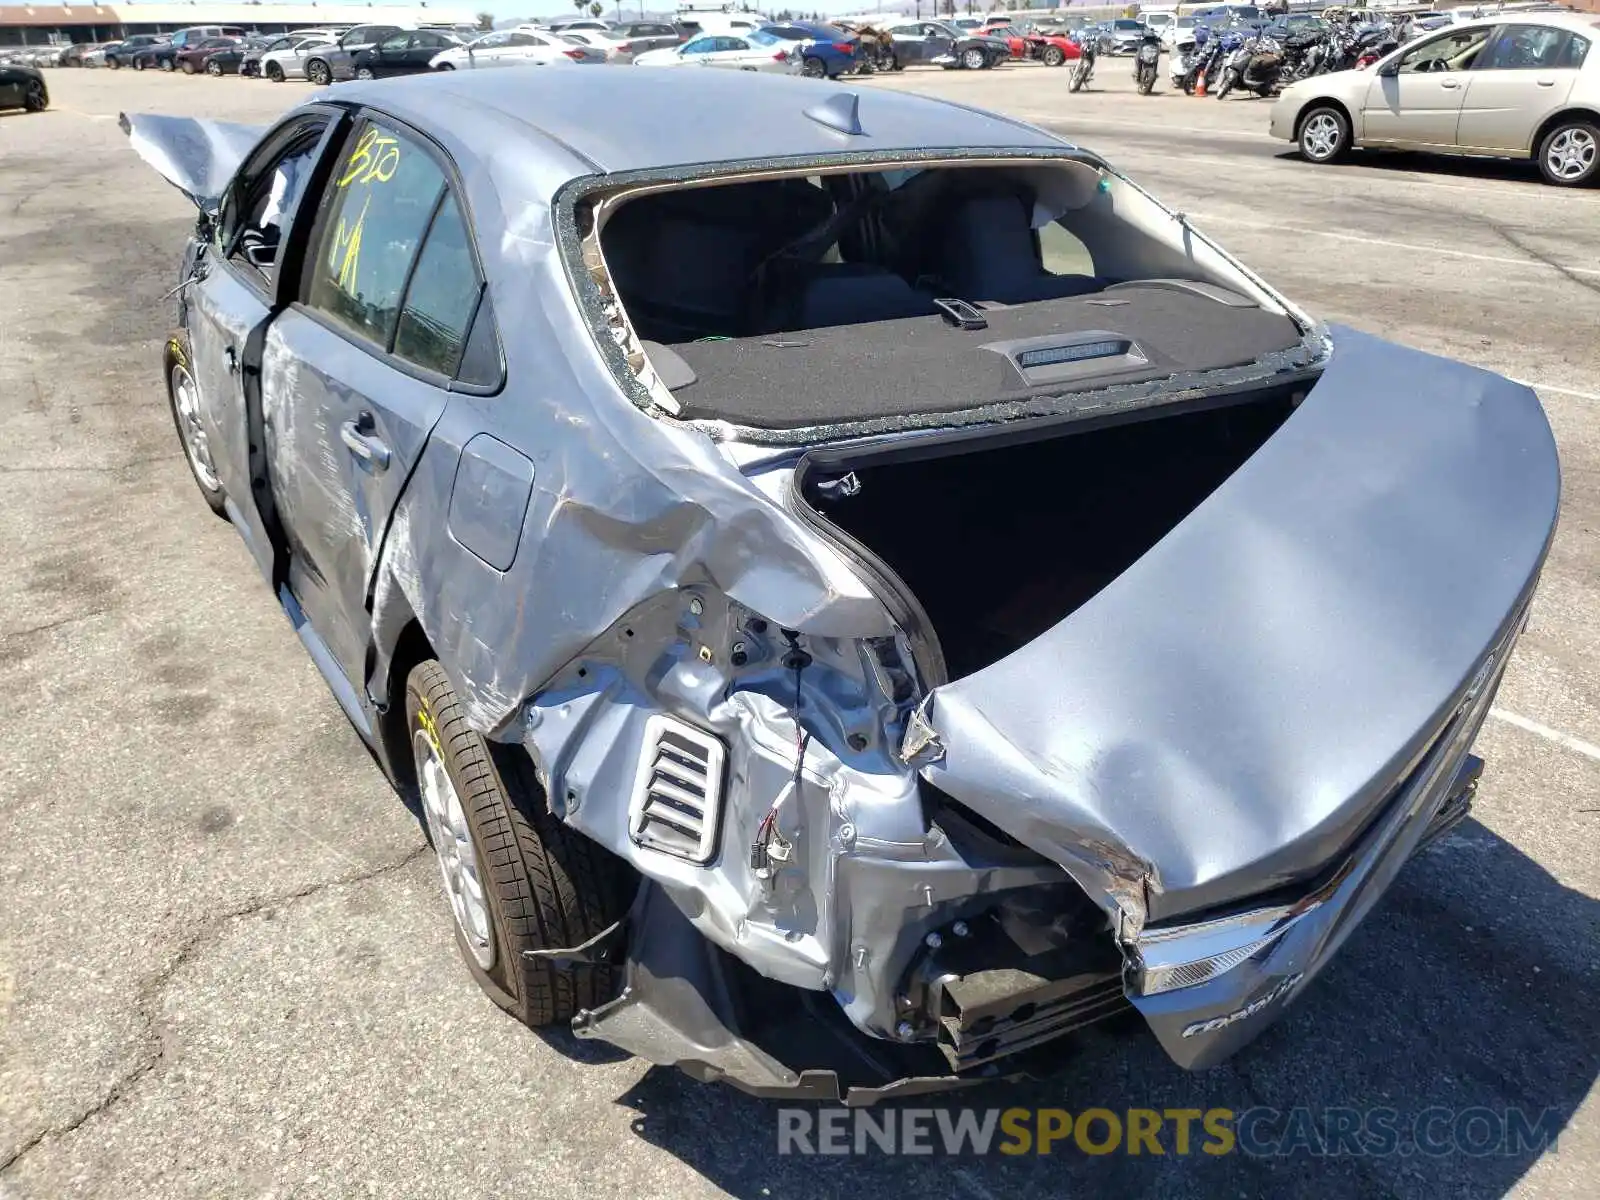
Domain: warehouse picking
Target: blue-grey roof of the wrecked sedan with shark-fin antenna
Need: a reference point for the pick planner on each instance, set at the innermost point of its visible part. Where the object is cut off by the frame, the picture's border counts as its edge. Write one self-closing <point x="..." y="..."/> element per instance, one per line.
<point x="625" y="121"/>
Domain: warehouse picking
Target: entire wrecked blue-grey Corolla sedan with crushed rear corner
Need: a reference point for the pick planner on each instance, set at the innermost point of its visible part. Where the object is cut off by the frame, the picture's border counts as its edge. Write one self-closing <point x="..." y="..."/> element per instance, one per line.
<point x="858" y="593"/>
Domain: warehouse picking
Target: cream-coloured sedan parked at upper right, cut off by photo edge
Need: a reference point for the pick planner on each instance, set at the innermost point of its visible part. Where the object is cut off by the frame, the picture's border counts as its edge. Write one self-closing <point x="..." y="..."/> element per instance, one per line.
<point x="1524" y="86"/>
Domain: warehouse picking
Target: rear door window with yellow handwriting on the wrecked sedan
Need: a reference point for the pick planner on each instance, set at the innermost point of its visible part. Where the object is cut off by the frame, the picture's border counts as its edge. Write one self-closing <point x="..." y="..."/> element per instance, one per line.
<point x="382" y="198"/>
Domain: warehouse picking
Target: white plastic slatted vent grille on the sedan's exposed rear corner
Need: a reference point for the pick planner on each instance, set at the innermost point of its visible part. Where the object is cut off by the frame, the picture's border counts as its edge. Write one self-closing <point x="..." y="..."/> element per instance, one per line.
<point x="678" y="793"/>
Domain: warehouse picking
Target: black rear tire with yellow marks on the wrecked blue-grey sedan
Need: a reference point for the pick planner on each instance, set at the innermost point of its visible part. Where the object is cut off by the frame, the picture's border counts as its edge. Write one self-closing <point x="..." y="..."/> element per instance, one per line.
<point x="546" y="886"/>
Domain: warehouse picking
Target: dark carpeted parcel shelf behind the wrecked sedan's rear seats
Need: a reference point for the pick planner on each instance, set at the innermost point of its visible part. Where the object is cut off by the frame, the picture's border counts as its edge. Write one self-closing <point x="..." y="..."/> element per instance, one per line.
<point x="927" y="366"/>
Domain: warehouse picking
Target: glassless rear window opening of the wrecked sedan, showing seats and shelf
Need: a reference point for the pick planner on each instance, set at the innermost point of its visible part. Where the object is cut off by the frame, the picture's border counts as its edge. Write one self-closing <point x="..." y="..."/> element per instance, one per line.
<point x="794" y="302"/>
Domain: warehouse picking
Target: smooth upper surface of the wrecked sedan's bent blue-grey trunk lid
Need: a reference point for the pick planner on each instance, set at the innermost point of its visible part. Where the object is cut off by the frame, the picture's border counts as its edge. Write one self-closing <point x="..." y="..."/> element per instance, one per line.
<point x="1228" y="714"/>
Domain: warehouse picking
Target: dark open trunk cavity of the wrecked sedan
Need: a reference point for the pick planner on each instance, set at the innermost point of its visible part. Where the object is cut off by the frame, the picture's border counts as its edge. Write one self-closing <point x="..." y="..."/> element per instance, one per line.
<point x="999" y="543"/>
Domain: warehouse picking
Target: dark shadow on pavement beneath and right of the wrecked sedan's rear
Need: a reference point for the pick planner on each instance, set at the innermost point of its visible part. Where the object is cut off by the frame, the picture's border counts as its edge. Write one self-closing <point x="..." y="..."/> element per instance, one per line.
<point x="1471" y="991"/>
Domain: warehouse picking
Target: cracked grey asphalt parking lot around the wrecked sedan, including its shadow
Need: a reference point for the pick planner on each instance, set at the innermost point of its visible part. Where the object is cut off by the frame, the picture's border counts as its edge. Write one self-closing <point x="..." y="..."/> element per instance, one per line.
<point x="225" y="962"/>
